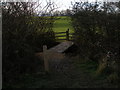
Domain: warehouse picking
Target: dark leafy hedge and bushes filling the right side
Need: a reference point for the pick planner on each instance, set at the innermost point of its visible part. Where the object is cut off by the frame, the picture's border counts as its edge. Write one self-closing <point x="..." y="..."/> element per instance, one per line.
<point x="97" y="34"/>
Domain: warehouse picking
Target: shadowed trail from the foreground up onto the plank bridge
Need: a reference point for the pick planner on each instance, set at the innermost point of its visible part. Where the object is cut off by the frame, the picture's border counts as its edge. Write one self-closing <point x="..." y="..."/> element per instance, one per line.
<point x="64" y="73"/>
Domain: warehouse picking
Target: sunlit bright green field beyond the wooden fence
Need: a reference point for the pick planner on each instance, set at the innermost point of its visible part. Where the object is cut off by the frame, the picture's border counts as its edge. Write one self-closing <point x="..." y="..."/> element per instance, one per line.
<point x="62" y="24"/>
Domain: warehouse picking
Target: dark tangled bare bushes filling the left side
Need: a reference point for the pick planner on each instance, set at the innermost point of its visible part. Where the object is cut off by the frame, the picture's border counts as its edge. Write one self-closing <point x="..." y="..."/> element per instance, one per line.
<point x="23" y="34"/>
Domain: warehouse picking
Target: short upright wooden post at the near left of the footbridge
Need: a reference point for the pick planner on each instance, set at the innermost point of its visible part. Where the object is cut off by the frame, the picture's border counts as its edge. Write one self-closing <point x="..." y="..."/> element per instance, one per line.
<point x="45" y="56"/>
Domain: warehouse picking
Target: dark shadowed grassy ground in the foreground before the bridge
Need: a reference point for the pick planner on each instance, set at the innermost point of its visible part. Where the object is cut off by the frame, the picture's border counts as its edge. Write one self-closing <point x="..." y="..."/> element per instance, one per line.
<point x="69" y="72"/>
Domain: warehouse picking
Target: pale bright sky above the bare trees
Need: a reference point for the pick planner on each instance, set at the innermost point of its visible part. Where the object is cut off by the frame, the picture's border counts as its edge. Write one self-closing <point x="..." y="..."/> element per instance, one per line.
<point x="60" y="4"/>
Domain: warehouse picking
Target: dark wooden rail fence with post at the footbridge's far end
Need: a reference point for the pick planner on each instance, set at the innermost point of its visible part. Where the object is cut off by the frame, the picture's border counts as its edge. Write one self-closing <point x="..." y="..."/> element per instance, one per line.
<point x="65" y="36"/>
